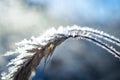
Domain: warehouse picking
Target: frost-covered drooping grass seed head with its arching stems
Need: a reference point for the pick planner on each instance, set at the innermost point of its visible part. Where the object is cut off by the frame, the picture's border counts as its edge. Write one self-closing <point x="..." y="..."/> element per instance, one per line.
<point x="30" y="52"/>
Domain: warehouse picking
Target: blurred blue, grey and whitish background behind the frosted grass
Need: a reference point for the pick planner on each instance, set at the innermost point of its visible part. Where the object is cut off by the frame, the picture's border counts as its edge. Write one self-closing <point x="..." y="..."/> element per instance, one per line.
<point x="73" y="59"/>
